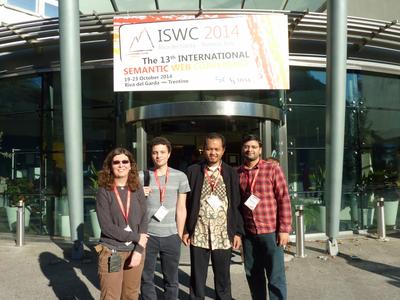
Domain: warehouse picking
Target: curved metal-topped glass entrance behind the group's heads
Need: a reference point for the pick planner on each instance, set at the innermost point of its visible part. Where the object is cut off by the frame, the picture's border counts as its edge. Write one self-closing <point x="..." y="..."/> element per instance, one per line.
<point x="186" y="124"/>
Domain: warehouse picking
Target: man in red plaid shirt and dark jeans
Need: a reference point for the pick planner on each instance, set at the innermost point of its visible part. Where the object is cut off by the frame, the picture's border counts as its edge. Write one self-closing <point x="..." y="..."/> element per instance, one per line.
<point x="267" y="220"/>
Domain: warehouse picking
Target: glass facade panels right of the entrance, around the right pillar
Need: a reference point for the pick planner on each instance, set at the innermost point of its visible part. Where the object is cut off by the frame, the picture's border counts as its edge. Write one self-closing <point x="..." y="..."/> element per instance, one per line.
<point x="371" y="165"/>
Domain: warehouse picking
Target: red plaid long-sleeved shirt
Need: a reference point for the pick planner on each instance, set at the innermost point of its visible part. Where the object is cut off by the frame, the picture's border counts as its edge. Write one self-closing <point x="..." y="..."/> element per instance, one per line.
<point x="273" y="212"/>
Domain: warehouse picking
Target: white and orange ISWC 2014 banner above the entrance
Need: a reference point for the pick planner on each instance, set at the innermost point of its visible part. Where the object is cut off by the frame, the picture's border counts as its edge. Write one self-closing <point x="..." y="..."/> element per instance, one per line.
<point x="210" y="52"/>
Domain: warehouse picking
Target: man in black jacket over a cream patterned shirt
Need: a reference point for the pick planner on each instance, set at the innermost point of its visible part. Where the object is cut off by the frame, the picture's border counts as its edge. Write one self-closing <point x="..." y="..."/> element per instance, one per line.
<point x="214" y="224"/>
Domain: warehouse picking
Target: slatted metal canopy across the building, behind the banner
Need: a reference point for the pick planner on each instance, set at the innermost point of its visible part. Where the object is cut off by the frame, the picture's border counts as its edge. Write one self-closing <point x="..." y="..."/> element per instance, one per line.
<point x="370" y="40"/>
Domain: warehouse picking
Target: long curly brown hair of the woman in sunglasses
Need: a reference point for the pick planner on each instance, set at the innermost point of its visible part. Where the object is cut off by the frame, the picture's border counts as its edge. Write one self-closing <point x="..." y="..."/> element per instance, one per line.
<point x="106" y="175"/>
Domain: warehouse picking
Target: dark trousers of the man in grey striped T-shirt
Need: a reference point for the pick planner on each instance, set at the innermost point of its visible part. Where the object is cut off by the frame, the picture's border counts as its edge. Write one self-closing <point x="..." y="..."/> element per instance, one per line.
<point x="169" y="249"/>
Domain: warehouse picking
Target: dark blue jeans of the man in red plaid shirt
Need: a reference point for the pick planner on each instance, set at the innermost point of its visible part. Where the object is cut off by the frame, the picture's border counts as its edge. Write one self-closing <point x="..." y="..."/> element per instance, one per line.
<point x="263" y="256"/>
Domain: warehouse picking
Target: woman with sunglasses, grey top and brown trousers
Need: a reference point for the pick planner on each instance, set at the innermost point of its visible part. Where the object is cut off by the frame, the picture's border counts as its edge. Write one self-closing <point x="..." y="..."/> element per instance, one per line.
<point x="121" y="210"/>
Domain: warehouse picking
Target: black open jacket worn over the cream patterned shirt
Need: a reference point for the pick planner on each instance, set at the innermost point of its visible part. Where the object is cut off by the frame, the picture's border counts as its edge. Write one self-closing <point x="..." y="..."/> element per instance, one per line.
<point x="195" y="174"/>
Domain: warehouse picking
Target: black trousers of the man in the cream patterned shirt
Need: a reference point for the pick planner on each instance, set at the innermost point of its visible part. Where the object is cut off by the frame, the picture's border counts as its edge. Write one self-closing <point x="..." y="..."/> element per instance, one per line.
<point x="220" y="259"/>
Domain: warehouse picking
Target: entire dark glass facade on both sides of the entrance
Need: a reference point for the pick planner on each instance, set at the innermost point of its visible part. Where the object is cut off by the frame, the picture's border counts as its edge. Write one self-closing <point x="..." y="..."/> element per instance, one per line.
<point x="32" y="149"/>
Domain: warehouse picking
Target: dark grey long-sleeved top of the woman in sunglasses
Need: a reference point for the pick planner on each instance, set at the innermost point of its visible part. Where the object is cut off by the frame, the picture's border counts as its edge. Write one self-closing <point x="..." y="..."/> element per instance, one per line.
<point x="112" y="222"/>
